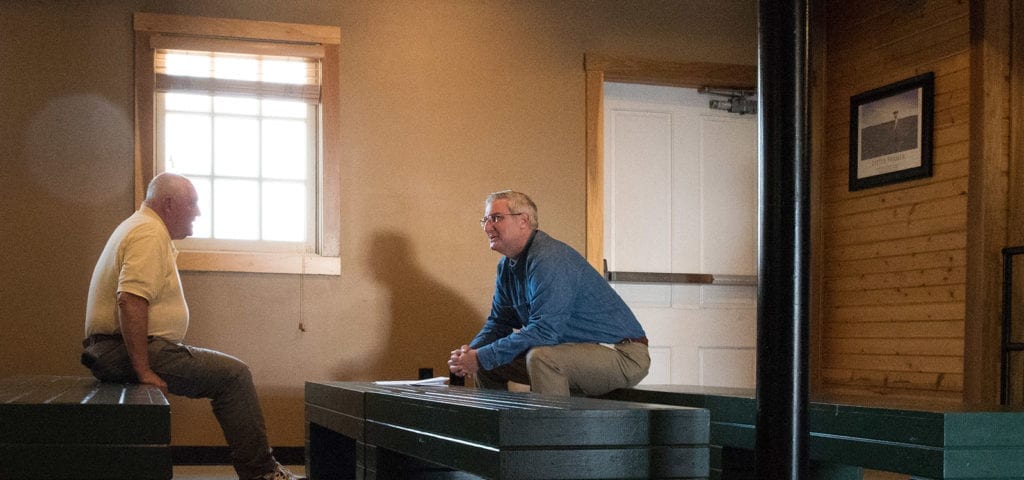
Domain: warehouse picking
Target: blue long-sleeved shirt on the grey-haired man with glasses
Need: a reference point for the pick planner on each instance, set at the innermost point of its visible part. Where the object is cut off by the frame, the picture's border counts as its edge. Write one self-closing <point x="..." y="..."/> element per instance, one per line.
<point x="552" y="296"/>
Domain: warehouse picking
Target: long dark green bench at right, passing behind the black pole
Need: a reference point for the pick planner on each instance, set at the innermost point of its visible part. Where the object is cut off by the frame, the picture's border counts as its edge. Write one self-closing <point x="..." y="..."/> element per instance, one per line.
<point x="850" y="434"/>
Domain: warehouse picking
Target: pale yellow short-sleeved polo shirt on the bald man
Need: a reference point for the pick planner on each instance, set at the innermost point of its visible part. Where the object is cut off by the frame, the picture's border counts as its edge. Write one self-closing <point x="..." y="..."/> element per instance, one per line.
<point x="140" y="258"/>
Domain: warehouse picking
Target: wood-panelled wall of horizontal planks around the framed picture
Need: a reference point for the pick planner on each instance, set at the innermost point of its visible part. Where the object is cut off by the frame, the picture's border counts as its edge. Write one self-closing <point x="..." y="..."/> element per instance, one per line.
<point x="894" y="258"/>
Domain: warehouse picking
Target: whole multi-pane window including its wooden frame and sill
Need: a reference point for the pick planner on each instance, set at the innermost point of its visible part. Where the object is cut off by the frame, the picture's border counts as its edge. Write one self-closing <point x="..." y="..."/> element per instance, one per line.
<point x="248" y="112"/>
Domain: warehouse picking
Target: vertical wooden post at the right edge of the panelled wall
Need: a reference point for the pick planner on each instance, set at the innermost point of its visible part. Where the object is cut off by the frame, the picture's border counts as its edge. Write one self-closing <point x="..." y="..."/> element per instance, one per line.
<point x="988" y="194"/>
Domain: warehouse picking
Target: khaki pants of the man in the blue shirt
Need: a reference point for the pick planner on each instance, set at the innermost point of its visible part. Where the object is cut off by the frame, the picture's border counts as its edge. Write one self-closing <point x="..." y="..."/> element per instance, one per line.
<point x="573" y="369"/>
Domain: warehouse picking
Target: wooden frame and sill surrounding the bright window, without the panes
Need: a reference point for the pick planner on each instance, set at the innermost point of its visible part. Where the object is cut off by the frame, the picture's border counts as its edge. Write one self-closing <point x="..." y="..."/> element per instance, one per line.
<point x="325" y="257"/>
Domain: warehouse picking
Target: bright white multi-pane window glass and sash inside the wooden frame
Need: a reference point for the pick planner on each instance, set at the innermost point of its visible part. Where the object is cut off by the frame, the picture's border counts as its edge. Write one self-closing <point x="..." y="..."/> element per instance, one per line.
<point x="251" y="156"/>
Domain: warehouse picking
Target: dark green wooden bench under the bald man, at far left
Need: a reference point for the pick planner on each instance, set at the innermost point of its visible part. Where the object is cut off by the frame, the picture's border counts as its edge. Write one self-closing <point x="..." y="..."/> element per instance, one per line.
<point x="57" y="428"/>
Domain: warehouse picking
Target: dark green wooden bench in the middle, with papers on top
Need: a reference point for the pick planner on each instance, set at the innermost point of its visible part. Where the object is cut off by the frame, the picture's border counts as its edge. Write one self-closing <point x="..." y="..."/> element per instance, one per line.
<point x="367" y="431"/>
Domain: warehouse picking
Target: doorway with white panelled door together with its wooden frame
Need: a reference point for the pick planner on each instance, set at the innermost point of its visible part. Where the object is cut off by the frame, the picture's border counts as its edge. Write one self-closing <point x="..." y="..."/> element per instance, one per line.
<point x="701" y="334"/>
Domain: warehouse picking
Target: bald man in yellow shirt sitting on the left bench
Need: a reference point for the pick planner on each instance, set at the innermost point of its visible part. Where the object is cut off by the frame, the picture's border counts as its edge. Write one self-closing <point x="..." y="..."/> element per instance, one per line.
<point x="137" y="319"/>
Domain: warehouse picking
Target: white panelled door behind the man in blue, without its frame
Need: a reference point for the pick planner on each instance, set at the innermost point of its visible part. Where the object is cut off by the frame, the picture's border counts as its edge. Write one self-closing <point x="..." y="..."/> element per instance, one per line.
<point x="681" y="198"/>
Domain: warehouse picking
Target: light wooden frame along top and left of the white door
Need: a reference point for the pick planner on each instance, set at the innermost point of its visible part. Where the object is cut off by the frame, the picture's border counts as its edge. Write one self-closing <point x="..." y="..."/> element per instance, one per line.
<point x="603" y="69"/>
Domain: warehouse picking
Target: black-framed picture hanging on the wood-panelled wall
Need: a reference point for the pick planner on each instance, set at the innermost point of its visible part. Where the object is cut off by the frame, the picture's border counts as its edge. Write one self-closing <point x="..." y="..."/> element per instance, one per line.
<point x="891" y="134"/>
